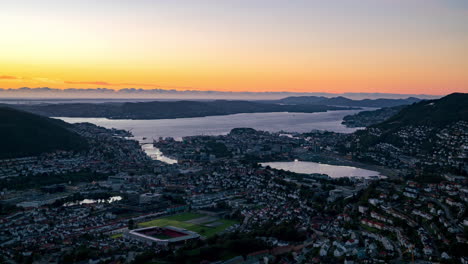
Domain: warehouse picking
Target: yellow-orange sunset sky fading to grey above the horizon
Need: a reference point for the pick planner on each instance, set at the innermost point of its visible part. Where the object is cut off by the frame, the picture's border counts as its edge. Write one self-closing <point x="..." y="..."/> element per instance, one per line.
<point x="388" y="46"/>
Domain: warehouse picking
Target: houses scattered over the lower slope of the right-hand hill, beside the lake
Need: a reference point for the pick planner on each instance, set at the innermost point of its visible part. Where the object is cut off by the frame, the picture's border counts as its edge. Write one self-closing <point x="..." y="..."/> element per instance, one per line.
<point x="408" y="148"/>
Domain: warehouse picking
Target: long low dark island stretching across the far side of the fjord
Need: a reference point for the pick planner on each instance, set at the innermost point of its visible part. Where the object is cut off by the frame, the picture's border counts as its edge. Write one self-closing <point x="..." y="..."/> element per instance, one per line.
<point x="166" y="110"/>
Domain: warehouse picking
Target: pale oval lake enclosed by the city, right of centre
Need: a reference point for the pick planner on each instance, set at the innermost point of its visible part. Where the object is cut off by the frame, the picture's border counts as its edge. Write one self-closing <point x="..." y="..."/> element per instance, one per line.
<point x="334" y="171"/>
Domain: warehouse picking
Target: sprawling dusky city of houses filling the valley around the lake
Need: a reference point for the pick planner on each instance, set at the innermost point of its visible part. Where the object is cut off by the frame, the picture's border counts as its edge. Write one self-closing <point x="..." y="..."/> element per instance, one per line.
<point x="324" y="219"/>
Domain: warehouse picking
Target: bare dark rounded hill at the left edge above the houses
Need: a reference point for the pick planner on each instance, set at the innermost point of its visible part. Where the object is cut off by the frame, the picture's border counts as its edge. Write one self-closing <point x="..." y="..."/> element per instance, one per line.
<point x="25" y="134"/>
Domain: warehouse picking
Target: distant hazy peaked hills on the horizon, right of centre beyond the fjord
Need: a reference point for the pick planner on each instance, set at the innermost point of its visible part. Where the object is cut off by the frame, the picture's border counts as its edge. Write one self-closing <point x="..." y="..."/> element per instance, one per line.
<point x="343" y="101"/>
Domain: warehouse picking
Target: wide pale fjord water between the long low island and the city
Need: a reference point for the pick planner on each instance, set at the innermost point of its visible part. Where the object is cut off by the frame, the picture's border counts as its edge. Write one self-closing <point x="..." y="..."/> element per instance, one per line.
<point x="221" y="125"/>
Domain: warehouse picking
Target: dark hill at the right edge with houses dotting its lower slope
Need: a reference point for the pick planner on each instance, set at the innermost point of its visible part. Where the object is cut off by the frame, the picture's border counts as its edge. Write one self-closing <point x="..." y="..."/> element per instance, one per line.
<point x="429" y="134"/>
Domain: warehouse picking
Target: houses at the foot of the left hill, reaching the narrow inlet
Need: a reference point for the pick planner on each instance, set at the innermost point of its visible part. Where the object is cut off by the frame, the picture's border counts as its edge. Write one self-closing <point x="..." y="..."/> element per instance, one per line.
<point x="107" y="153"/>
